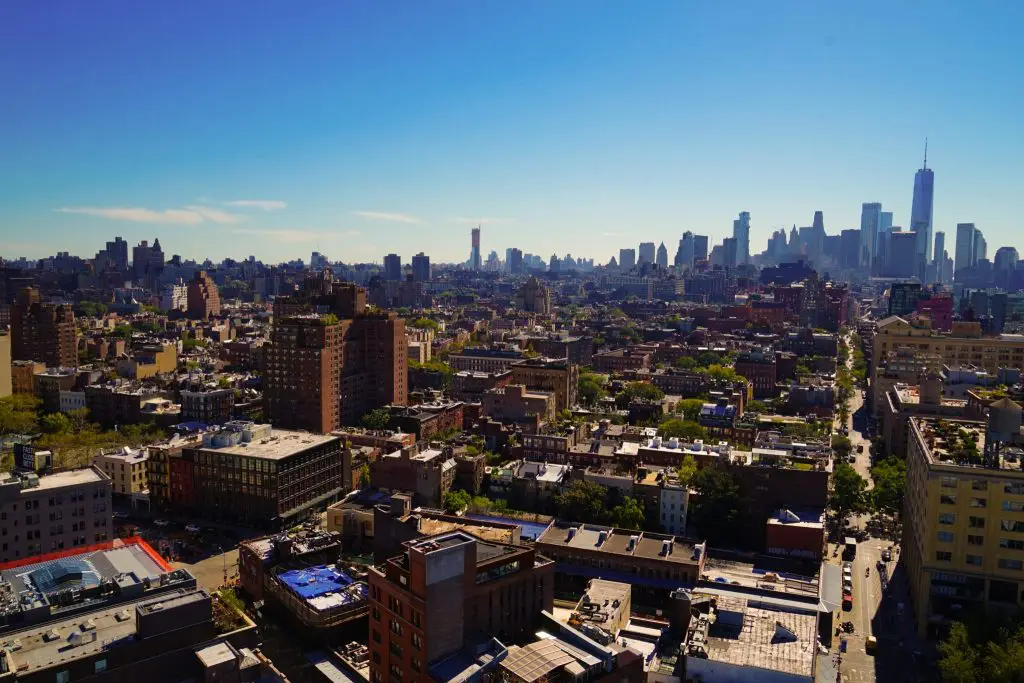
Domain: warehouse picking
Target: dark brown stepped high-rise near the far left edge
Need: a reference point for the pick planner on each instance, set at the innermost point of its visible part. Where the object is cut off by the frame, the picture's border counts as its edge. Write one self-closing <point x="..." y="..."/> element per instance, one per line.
<point x="44" y="332"/>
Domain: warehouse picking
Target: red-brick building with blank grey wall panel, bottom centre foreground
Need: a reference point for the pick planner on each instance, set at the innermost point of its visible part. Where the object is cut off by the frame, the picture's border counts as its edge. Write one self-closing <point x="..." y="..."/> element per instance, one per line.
<point x="428" y="604"/>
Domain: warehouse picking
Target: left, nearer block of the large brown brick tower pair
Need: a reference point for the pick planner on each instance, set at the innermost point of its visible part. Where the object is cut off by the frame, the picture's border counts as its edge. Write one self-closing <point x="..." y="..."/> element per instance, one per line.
<point x="304" y="363"/>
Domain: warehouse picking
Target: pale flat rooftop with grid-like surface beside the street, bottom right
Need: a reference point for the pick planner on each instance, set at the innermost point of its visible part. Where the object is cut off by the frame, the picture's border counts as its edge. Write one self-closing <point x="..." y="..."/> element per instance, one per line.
<point x="744" y="633"/>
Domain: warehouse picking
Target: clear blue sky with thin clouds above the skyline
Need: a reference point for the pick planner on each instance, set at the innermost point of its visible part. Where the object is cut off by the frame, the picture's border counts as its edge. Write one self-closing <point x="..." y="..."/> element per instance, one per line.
<point x="358" y="130"/>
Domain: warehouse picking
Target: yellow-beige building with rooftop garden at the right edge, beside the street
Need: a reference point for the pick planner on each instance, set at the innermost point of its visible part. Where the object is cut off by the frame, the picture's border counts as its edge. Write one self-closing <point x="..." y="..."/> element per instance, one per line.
<point x="964" y="517"/>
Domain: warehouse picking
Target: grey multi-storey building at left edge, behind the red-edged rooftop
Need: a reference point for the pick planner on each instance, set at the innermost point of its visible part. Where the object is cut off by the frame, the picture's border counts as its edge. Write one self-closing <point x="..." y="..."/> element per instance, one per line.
<point x="44" y="515"/>
